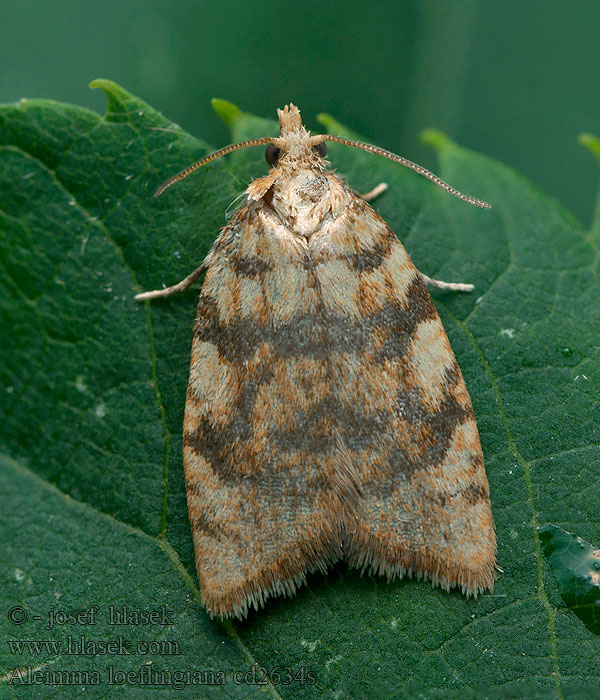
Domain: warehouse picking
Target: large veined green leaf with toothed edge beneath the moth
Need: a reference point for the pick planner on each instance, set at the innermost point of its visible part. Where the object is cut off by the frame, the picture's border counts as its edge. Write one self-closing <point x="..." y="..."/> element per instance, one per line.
<point x="92" y="391"/>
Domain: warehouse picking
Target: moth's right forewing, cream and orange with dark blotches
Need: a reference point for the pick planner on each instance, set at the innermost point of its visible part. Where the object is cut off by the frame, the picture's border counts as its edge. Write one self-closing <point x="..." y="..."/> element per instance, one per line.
<point x="425" y="509"/>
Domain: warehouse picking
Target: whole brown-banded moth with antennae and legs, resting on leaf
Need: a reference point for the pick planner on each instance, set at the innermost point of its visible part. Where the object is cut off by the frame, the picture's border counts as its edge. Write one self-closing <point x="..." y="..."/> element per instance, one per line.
<point x="326" y="415"/>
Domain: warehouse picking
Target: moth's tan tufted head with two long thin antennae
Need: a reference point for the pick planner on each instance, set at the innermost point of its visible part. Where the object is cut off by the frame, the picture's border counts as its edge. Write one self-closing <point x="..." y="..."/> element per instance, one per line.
<point x="295" y="148"/>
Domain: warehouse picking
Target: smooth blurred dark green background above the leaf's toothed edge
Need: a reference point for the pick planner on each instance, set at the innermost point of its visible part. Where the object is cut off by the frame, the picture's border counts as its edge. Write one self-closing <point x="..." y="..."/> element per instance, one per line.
<point x="516" y="80"/>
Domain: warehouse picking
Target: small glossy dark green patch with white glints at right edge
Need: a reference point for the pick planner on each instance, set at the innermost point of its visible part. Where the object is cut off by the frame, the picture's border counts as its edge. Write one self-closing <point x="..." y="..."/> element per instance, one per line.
<point x="576" y="567"/>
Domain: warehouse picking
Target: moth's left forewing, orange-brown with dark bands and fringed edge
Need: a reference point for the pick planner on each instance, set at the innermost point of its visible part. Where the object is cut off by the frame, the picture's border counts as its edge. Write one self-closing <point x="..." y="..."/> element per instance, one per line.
<point x="262" y="513"/>
